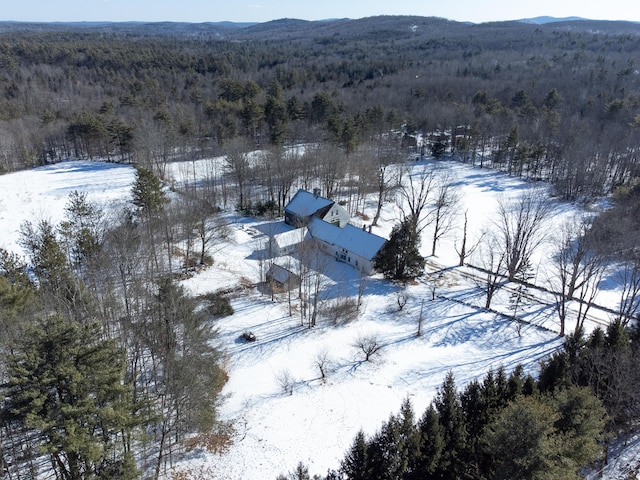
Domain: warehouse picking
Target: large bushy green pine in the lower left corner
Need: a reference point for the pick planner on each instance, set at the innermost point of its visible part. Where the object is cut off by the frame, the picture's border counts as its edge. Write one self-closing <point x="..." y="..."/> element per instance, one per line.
<point x="66" y="385"/>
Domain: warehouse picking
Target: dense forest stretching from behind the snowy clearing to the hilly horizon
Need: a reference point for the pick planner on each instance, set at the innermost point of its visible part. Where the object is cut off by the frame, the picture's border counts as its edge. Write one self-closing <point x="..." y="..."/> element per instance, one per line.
<point x="557" y="102"/>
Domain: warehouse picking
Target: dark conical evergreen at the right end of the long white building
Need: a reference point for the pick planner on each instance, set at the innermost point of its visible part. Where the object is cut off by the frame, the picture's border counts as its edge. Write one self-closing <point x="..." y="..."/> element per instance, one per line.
<point x="399" y="258"/>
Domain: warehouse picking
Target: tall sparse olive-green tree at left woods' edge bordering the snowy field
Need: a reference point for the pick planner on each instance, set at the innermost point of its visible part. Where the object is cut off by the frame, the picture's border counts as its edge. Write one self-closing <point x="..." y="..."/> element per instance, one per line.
<point x="185" y="365"/>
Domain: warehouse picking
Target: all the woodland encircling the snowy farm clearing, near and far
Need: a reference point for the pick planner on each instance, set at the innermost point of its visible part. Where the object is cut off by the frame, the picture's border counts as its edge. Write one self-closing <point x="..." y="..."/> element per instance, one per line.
<point x="557" y="102"/>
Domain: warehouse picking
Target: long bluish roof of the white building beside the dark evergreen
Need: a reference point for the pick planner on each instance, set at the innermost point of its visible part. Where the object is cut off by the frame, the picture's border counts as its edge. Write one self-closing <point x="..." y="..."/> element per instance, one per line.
<point x="350" y="238"/>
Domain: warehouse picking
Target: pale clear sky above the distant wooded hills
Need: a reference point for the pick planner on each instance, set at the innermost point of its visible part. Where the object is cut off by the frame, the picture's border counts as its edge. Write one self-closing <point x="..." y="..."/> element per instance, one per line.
<point x="265" y="10"/>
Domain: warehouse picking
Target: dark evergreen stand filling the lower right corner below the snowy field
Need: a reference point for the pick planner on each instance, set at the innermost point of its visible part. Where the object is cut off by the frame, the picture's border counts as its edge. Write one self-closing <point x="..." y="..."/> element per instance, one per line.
<point x="510" y="426"/>
